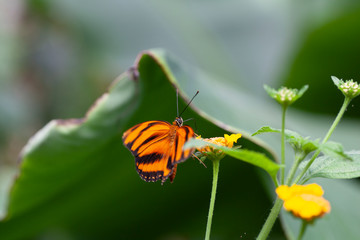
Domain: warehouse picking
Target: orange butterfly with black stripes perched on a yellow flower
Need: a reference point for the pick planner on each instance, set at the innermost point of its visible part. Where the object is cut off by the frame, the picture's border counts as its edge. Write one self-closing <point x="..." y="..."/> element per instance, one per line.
<point x="158" y="147"/>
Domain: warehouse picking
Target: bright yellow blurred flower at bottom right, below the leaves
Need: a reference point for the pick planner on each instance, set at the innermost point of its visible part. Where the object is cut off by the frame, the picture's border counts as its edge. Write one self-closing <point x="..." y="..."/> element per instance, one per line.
<point x="304" y="201"/>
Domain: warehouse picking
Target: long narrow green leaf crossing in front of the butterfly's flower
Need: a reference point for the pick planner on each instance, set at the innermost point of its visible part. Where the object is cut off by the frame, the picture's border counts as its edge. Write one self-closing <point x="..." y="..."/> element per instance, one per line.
<point x="252" y="157"/>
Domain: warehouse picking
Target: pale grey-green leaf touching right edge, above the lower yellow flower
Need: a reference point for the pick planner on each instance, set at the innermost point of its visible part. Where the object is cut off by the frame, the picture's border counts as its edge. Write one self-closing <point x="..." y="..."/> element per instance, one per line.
<point x="334" y="167"/>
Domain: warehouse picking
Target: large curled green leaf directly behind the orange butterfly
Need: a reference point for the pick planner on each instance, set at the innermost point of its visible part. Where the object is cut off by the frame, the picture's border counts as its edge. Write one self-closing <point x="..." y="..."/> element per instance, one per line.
<point x="76" y="179"/>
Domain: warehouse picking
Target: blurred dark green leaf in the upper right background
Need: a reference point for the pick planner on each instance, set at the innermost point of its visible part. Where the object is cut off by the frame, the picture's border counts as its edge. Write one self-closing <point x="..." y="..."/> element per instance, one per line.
<point x="329" y="50"/>
